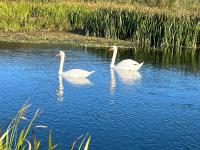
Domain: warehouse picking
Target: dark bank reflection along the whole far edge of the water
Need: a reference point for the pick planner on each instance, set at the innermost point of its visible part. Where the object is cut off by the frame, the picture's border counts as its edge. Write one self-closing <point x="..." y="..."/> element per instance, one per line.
<point x="187" y="60"/>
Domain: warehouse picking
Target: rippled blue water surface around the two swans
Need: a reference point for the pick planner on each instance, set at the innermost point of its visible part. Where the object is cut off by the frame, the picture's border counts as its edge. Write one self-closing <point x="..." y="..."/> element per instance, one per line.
<point x="155" y="108"/>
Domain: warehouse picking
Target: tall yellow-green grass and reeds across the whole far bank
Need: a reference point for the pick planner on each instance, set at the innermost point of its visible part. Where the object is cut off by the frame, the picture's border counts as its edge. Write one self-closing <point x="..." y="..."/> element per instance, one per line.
<point x="152" y="26"/>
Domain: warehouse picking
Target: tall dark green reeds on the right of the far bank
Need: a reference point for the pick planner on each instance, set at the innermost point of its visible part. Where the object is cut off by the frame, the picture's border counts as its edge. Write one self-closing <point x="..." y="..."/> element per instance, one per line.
<point x="153" y="28"/>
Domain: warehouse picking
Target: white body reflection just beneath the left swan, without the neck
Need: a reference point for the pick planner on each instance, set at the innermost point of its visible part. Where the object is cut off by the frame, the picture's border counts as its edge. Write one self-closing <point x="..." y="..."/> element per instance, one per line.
<point x="78" y="81"/>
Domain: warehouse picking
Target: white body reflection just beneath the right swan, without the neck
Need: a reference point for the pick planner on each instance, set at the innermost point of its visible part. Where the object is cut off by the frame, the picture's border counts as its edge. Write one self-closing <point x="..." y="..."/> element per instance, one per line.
<point x="129" y="77"/>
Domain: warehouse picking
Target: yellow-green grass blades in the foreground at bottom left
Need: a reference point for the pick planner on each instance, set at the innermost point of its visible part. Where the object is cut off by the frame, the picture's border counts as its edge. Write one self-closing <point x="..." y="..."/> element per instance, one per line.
<point x="15" y="139"/>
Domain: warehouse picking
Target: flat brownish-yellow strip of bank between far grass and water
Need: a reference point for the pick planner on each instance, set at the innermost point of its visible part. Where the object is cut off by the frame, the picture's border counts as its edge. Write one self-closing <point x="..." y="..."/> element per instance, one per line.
<point x="68" y="38"/>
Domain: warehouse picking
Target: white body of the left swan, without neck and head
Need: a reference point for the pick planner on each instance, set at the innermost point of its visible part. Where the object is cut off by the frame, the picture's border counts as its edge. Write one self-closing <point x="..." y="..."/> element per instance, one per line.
<point x="77" y="73"/>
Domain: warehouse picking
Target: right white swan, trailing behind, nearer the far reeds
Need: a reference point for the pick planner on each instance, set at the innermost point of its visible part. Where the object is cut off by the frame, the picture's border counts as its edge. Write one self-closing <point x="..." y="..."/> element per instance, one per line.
<point x="127" y="64"/>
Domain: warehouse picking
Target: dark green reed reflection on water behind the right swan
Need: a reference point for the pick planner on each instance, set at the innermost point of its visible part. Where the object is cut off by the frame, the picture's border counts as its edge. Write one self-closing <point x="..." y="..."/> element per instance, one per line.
<point x="186" y="60"/>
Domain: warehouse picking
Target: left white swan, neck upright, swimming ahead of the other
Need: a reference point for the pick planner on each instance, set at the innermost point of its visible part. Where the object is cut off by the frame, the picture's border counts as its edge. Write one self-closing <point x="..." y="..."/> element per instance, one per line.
<point x="73" y="73"/>
